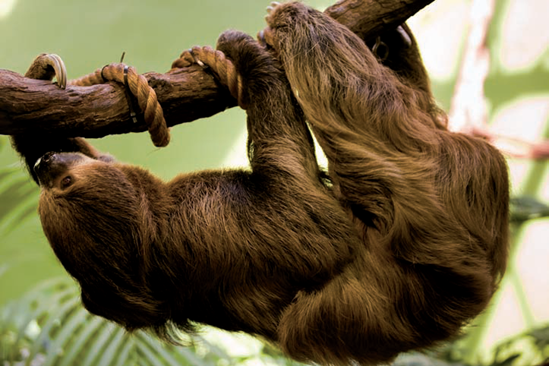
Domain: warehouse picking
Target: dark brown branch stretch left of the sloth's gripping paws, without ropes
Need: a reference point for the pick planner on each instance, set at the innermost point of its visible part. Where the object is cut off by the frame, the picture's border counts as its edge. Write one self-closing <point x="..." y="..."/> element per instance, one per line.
<point x="28" y="105"/>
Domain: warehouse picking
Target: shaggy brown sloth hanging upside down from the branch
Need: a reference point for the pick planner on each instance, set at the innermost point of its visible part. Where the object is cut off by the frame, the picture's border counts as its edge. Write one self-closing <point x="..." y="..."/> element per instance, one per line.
<point x="395" y="249"/>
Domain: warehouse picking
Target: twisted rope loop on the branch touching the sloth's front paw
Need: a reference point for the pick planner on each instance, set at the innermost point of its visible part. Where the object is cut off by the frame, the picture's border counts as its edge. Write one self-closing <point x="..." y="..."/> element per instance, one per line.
<point x="215" y="60"/>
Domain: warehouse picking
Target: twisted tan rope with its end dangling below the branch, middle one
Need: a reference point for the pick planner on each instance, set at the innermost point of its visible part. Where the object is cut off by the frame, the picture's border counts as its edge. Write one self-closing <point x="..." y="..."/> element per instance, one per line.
<point x="139" y="87"/>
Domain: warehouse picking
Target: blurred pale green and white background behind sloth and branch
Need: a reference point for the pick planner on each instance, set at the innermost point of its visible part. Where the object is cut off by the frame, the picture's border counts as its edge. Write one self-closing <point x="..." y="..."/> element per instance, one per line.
<point x="88" y="35"/>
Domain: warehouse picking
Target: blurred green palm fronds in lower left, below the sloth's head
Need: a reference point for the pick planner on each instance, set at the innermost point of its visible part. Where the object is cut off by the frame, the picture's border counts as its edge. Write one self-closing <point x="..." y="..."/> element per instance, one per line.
<point x="49" y="326"/>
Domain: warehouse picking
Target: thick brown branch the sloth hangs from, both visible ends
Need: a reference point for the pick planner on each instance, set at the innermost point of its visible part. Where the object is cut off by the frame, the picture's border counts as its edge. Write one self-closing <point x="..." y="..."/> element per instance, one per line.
<point x="187" y="94"/>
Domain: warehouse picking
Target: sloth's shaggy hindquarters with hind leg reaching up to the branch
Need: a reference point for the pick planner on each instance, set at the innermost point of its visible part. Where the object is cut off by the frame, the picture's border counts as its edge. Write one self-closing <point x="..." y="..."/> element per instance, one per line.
<point x="430" y="206"/>
